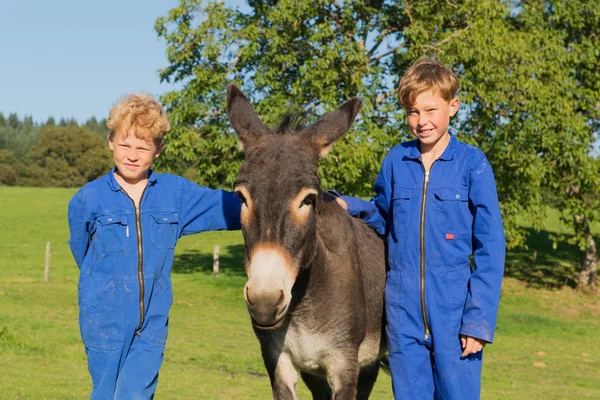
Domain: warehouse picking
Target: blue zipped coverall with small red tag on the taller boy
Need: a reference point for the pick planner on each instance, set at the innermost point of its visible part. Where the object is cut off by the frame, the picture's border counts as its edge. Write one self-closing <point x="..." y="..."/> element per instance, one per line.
<point x="433" y="223"/>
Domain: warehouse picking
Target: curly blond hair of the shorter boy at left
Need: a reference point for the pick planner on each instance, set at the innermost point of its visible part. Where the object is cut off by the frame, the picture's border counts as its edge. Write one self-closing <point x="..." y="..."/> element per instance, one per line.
<point x="140" y="113"/>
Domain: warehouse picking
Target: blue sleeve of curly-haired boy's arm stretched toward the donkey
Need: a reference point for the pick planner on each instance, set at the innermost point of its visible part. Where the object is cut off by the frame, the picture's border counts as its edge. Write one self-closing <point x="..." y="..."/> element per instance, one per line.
<point x="205" y="209"/>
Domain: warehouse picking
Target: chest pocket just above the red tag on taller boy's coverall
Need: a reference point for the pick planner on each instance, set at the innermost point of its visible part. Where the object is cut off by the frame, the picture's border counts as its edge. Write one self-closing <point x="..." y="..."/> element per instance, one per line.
<point x="452" y="210"/>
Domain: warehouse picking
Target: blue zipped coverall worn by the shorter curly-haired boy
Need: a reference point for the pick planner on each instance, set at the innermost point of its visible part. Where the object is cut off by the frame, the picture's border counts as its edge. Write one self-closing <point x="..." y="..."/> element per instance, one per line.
<point x="125" y="257"/>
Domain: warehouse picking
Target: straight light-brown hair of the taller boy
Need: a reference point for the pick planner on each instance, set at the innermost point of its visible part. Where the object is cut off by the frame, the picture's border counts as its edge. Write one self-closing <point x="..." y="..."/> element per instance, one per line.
<point x="425" y="75"/>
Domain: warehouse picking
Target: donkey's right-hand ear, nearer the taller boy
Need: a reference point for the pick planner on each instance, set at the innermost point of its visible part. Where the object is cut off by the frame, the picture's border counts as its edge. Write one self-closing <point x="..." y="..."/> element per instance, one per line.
<point x="333" y="125"/>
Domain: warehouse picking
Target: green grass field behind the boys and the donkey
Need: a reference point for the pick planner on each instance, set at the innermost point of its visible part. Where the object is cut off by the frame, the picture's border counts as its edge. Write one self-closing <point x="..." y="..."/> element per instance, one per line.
<point x="547" y="342"/>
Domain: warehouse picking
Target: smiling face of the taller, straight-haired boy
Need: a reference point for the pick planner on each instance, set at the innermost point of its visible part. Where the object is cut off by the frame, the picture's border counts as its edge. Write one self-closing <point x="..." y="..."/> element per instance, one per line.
<point x="429" y="117"/>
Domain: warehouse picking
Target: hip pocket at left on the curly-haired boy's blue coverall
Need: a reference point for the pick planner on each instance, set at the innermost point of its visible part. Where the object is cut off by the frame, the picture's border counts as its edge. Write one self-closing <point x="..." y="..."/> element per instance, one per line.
<point x="101" y="321"/>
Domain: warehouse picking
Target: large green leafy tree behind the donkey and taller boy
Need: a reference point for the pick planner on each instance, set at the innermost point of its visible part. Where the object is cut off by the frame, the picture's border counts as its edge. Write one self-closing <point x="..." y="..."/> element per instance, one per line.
<point x="518" y="62"/>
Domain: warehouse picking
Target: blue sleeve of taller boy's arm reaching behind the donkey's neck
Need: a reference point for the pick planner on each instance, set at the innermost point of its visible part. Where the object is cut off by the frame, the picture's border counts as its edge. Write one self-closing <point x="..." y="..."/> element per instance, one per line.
<point x="375" y="212"/>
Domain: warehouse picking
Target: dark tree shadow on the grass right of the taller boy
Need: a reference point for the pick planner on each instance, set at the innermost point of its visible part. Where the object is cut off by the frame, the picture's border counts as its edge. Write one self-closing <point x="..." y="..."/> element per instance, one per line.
<point x="542" y="266"/>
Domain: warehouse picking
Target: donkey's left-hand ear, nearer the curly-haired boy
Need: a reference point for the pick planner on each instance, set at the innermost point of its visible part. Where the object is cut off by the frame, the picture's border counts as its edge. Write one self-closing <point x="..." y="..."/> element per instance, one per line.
<point x="242" y="116"/>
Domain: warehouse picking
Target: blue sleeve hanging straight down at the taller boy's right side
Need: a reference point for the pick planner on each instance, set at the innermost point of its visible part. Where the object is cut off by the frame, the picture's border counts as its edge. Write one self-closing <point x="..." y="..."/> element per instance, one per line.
<point x="481" y="308"/>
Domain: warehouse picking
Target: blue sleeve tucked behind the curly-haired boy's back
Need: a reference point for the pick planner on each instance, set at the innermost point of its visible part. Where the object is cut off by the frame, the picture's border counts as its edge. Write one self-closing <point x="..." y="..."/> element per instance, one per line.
<point x="79" y="239"/>
